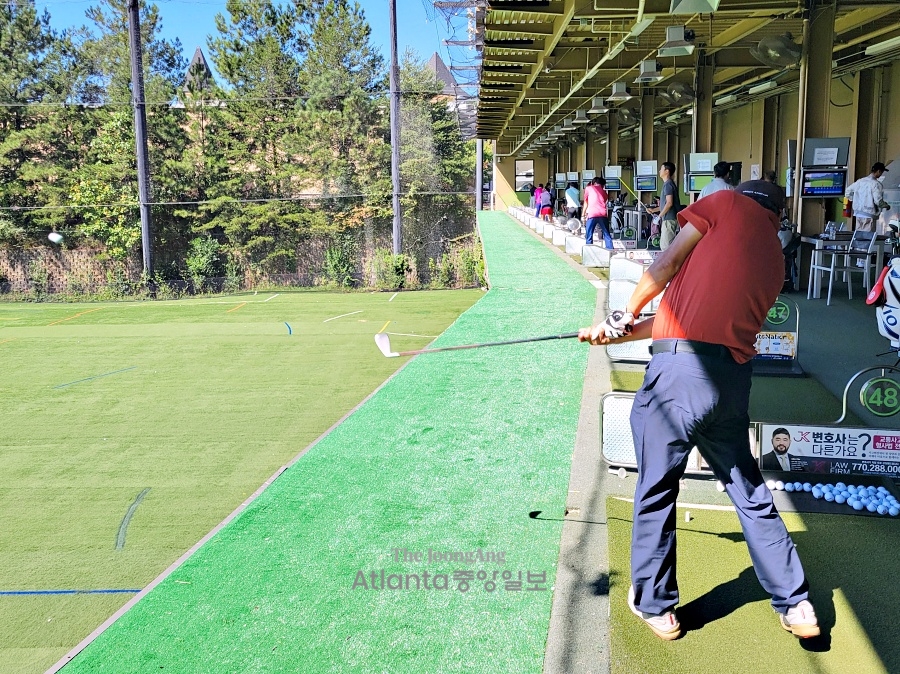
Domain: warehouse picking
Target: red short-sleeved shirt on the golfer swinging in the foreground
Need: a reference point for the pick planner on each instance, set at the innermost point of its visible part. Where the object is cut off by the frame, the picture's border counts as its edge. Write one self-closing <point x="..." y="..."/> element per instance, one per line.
<point x="728" y="283"/>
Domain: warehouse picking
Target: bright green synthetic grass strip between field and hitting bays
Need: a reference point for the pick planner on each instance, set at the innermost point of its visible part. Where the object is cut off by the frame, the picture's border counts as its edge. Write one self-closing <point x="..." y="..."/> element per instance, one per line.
<point x="450" y="455"/>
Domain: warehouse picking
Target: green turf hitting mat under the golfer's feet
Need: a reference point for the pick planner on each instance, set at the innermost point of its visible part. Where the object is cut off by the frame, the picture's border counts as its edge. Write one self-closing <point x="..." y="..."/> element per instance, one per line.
<point x="730" y="626"/>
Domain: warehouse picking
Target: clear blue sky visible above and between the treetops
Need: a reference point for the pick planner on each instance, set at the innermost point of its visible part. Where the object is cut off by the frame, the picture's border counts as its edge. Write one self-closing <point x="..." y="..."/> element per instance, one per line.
<point x="418" y="25"/>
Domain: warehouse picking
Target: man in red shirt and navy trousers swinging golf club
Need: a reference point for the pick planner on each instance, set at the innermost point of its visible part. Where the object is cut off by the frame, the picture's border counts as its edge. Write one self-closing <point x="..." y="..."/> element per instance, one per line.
<point x="724" y="271"/>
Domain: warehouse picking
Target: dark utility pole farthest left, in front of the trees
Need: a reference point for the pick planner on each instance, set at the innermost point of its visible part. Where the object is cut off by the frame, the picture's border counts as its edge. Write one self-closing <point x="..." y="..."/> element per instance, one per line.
<point x="140" y="132"/>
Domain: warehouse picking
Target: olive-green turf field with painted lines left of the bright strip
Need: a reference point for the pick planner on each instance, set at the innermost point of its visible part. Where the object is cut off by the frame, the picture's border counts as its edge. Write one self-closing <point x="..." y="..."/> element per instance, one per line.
<point x="216" y="402"/>
